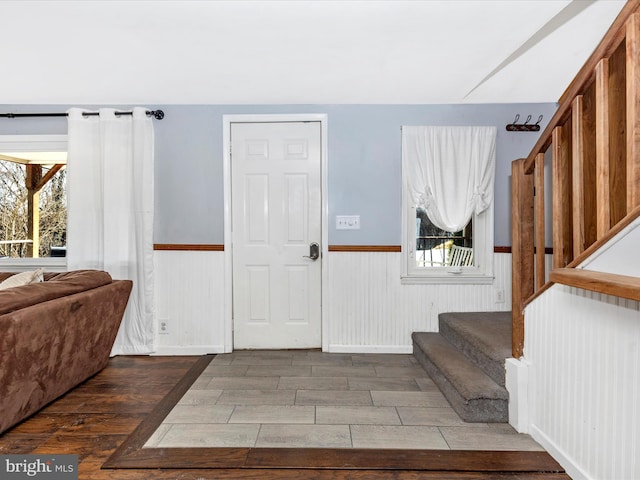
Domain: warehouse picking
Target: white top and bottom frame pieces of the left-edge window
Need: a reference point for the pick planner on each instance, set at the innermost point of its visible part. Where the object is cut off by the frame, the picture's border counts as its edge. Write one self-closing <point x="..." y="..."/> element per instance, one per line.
<point x="33" y="143"/>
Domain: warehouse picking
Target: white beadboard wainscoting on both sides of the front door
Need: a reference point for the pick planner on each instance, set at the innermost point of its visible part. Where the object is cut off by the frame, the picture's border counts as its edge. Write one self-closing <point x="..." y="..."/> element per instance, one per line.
<point x="366" y="307"/>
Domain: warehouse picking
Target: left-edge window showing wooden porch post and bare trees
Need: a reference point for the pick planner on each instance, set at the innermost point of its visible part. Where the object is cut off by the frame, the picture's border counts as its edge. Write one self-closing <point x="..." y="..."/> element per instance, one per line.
<point x="33" y="218"/>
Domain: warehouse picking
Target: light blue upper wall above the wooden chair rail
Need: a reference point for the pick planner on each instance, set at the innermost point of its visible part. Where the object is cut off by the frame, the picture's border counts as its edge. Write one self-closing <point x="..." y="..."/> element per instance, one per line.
<point x="364" y="162"/>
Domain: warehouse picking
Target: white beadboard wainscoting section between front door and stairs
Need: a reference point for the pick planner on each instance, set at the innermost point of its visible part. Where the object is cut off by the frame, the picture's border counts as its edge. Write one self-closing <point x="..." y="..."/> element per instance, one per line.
<point x="369" y="310"/>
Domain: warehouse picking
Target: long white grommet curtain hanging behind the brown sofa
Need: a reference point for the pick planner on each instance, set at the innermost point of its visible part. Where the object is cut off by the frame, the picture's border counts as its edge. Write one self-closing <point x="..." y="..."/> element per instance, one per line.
<point x="110" y="211"/>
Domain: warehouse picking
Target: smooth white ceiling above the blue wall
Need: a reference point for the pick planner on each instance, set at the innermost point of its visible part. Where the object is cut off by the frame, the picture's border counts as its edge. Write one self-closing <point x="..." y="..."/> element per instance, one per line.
<point x="296" y="51"/>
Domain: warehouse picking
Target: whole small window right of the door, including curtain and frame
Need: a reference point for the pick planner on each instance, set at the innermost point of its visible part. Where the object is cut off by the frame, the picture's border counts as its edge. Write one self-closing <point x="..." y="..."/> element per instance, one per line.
<point x="447" y="204"/>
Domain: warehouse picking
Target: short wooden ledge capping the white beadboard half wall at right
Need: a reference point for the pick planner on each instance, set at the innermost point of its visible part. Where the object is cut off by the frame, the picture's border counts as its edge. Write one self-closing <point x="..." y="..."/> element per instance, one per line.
<point x="622" y="286"/>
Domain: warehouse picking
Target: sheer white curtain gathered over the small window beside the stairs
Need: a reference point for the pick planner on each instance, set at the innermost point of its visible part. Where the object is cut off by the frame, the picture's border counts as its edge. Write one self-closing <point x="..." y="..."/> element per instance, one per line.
<point x="449" y="171"/>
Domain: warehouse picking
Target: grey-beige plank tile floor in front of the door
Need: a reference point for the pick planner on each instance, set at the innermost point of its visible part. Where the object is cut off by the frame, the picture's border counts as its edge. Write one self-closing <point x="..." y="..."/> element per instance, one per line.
<point x="322" y="400"/>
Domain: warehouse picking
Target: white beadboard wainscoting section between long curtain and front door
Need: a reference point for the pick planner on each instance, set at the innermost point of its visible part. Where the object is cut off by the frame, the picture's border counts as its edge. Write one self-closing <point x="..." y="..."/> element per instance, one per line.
<point x="190" y="296"/>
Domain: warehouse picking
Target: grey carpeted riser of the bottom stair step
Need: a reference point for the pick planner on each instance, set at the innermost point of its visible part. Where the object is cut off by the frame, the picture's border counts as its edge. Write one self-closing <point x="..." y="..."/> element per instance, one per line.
<point x="474" y="411"/>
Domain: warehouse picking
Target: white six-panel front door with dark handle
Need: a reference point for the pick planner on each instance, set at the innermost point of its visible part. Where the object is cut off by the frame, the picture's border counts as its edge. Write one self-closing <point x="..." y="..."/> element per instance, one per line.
<point x="276" y="219"/>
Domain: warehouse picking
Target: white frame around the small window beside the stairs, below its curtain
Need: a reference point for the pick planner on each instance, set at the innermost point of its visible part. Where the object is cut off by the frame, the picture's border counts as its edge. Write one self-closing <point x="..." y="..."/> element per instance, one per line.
<point x="480" y="273"/>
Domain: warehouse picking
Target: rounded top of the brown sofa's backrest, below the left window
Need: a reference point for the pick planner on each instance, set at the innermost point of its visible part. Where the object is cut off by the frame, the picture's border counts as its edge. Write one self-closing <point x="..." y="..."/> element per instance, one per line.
<point x="56" y="286"/>
